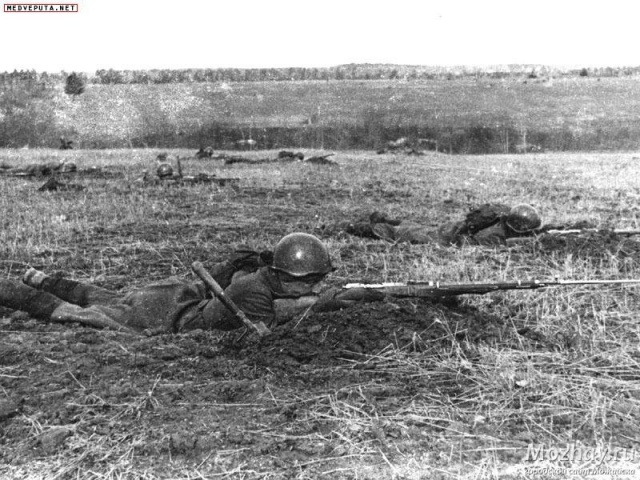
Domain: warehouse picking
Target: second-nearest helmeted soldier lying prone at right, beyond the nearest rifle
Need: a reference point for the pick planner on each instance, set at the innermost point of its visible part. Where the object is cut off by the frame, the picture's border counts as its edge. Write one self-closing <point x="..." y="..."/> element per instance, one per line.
<point x="489" y="224"/>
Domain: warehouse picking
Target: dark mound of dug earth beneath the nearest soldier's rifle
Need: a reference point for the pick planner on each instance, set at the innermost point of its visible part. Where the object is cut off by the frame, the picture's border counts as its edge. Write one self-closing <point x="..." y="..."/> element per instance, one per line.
<point x="356" y="333"/>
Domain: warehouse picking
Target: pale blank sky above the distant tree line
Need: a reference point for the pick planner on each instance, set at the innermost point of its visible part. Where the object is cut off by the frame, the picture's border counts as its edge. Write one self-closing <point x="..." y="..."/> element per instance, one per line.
<point x="147" y="34"/>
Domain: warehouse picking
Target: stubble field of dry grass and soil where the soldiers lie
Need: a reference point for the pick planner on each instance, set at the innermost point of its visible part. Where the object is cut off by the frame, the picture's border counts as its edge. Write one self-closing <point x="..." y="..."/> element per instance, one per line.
<point x="399" y="389"/>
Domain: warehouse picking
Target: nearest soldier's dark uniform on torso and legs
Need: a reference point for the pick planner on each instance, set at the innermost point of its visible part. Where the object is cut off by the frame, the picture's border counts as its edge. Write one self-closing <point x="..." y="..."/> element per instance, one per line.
<point x="171" y="305"/>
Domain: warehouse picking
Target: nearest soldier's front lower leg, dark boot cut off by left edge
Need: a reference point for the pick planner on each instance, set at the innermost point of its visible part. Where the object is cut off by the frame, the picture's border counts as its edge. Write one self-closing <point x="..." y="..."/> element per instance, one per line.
<point x="46" y="306"/>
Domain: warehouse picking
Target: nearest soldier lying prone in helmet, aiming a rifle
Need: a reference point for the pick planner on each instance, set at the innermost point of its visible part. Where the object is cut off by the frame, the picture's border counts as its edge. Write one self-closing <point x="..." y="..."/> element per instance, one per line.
<point x="265" y="290"/>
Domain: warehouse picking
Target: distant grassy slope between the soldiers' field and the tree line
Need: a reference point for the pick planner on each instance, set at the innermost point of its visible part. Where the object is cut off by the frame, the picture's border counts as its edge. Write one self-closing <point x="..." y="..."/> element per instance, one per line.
<point x="464" y="115"/>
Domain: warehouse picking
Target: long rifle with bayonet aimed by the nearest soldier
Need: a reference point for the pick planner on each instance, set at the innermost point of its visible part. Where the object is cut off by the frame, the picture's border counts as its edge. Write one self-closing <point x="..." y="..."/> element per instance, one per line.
<point x="439" y="290"/>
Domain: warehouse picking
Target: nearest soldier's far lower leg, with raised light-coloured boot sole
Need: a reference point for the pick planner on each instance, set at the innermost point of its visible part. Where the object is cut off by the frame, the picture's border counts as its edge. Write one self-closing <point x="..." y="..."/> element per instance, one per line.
<point x="70" y="290"/>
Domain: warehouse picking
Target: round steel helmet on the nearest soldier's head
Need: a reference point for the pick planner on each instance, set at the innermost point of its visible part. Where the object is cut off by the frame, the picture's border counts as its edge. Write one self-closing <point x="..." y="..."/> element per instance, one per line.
<point x="301" y="254"/>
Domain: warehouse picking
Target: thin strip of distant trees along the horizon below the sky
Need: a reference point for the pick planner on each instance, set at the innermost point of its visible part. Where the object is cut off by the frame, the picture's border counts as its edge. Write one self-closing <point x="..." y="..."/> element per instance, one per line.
<point x="341" y="72"/>
